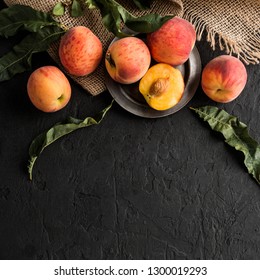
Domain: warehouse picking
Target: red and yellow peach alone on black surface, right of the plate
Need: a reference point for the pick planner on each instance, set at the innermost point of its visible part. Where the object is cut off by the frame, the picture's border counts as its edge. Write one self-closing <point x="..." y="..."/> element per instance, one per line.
<point x="224" y="78"/>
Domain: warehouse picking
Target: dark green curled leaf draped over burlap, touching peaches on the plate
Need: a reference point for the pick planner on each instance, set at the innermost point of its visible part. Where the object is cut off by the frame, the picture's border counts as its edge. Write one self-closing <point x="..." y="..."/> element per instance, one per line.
<point x="113" y="15"/>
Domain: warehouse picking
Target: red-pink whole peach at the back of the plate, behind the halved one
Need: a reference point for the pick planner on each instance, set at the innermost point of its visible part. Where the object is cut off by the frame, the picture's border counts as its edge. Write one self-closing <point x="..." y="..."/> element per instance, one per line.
<point x="173" y="42"/>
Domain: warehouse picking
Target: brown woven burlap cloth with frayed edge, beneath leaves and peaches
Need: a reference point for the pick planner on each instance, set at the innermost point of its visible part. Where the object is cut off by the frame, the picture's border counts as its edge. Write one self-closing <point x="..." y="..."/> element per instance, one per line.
<point x="233" y="25"/>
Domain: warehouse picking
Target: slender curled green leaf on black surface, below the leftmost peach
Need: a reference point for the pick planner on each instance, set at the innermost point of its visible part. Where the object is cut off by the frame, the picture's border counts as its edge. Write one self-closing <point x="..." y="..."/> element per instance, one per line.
<point x="57" y="131"/>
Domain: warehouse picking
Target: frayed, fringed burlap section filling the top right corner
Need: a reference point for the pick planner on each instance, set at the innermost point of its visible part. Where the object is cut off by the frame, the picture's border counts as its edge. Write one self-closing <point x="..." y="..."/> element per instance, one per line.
<point x="231" y="25"/>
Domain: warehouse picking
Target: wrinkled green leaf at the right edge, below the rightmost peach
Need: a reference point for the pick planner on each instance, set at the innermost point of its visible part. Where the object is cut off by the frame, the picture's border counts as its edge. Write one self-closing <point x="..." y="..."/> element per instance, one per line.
<point x="236" y="135"/>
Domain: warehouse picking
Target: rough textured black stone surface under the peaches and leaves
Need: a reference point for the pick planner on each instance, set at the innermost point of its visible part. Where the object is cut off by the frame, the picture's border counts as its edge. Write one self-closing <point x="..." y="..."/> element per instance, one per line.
<point x="129" y="188"/>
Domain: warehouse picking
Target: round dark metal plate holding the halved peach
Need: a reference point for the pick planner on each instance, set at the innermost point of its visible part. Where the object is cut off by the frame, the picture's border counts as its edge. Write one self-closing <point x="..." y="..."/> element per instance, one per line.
<point x="129" y="97"/>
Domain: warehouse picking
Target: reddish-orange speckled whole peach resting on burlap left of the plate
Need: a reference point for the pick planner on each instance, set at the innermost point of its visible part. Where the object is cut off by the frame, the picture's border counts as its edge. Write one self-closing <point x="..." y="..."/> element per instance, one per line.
<point x="80" y="51"/>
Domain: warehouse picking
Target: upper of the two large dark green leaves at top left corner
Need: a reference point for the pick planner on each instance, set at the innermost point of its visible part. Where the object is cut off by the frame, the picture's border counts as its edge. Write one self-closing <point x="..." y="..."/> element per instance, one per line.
<point x="20" y="17"/>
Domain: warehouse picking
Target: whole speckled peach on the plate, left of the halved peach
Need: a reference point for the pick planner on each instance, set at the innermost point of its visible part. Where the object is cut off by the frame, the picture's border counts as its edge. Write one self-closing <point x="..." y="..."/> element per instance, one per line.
<point x="127" y="60"/>
